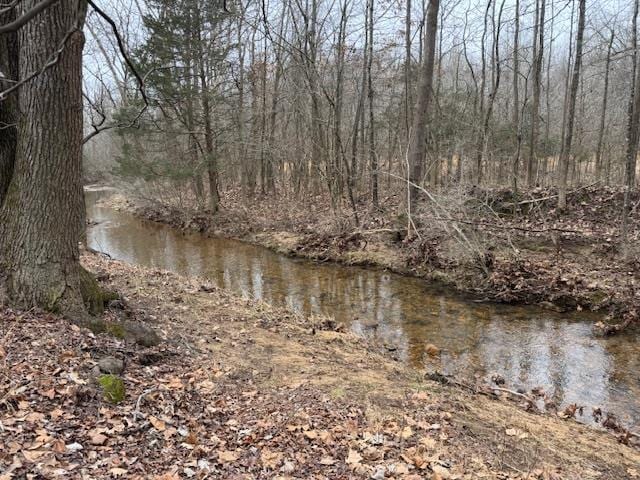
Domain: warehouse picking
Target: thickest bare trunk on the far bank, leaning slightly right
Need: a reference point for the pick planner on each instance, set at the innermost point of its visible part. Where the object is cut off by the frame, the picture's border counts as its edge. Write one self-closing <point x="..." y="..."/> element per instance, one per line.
<point x="418" y="145"/>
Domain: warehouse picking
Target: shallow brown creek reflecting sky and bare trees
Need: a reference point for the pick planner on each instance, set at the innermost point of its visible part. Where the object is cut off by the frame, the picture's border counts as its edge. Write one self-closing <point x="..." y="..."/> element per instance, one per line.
<point x="528" y="347"/>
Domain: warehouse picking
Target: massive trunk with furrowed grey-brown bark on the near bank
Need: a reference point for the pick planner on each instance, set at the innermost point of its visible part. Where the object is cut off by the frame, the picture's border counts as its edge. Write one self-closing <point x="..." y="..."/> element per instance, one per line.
<point x="41" y="215"/>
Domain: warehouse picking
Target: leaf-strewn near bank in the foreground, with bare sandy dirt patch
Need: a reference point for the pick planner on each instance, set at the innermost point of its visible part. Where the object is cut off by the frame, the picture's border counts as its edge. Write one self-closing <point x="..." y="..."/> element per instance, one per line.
<point x="239" y="390"/>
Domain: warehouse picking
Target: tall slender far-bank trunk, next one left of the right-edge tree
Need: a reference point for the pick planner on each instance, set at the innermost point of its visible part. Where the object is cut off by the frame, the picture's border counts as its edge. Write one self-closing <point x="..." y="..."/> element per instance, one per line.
<point x="568" y="137"/>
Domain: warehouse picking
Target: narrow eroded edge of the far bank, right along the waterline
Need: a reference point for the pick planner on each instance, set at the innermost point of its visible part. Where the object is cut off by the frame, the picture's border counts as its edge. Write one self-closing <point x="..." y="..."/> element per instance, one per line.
<point x="609" y="304"/>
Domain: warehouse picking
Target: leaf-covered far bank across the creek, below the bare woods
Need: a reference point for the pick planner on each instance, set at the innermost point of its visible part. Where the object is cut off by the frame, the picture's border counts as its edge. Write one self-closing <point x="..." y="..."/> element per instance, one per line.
<point x="510" y="249"/>
